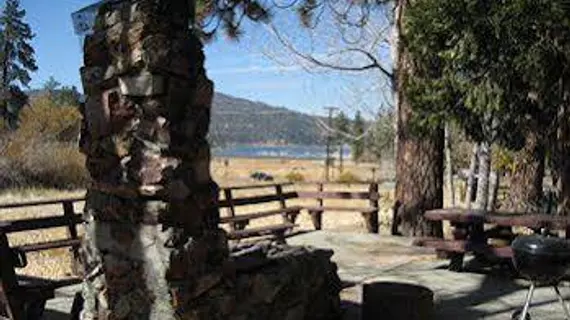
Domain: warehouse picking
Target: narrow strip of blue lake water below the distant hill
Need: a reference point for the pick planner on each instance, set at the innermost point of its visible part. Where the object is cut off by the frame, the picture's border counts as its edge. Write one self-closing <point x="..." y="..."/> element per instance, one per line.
<point x="289" y="151"/>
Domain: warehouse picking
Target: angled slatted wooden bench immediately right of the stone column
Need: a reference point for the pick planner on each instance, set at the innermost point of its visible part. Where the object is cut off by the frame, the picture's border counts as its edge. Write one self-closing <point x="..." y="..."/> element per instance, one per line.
<point x="239" y="222"/>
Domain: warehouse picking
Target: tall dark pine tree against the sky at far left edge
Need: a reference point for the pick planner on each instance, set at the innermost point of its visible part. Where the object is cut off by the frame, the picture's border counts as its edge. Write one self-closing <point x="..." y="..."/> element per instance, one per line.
<point x="17" y="60"/>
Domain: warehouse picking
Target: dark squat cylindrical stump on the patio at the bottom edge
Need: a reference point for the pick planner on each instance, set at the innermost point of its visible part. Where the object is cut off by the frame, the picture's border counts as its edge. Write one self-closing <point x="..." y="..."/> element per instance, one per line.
<point x="396" y="301"/>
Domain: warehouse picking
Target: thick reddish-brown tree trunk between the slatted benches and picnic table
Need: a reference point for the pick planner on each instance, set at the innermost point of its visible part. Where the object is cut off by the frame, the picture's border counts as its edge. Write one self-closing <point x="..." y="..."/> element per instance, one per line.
<point x="419" y="158"/>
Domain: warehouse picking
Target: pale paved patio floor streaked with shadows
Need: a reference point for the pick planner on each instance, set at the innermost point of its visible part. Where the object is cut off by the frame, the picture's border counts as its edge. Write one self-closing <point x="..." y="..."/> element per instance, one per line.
<point x="365" y="257"/>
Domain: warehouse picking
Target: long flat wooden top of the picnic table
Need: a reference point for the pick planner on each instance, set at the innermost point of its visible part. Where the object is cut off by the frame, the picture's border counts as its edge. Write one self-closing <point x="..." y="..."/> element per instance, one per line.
<point x="501" y="218"/>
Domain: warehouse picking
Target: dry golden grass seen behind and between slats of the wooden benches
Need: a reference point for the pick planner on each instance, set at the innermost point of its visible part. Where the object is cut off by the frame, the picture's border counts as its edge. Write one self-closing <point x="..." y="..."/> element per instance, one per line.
<point x="57" y="263"/>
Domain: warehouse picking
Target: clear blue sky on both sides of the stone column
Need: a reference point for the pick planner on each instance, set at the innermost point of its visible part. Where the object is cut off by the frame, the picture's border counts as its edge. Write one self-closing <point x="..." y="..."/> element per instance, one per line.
<point x="258" y="67"/>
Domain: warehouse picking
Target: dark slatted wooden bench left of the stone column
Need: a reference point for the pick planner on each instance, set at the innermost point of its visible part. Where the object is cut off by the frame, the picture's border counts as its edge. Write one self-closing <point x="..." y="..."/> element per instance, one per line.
<point x="24" y="297"/>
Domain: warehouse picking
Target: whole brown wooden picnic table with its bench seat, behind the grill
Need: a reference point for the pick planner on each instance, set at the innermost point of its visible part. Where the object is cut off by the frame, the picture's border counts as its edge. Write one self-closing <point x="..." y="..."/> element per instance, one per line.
<point x="473" y="231"/>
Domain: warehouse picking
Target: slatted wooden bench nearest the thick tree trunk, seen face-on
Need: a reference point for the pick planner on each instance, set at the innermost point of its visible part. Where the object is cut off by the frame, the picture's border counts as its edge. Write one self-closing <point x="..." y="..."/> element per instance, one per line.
<point x="370" y="213"/>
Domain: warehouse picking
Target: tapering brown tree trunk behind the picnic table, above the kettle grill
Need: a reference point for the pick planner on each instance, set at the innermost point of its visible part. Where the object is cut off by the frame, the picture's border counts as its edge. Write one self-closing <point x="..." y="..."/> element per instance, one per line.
<point x="525" y="192"/>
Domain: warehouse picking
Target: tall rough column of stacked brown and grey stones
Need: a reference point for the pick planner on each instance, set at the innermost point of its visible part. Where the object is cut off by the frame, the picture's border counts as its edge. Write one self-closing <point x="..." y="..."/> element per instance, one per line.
<point x="152" y="243"/>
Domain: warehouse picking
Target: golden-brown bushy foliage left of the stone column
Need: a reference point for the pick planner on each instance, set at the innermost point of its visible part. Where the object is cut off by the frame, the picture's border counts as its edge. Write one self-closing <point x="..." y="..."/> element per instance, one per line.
<point x="42" y="152"/>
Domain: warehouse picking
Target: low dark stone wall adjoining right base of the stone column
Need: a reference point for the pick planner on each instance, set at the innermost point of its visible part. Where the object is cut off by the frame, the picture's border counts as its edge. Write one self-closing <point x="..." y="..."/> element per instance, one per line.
<point x="274" y="282"/>
